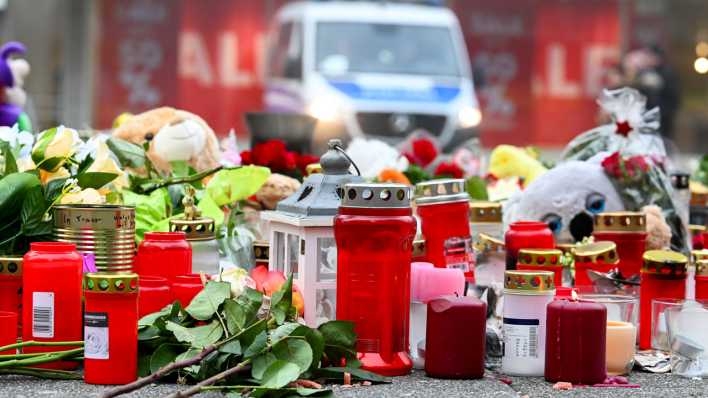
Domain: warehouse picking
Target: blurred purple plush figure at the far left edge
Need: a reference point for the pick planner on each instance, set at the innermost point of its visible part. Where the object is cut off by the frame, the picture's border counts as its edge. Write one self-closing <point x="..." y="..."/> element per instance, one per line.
<point x="13" y="71"/>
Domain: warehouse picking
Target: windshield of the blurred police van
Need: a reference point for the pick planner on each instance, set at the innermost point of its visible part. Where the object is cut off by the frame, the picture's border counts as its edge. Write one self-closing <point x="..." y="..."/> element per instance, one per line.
<point x="354" y="47"/>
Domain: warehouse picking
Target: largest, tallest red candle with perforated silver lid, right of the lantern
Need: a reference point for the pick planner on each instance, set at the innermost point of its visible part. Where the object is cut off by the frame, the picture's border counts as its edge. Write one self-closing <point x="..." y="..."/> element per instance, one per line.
<point x="374" y="231"/>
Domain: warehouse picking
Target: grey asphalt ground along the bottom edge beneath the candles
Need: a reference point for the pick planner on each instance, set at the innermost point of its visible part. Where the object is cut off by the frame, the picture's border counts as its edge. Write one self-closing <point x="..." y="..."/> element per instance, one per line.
<point x="416" y="385"/>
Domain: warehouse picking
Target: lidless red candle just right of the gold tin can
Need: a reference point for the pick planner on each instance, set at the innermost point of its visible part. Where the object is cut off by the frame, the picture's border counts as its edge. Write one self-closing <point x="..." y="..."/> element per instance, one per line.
<point x="165" y="254"/>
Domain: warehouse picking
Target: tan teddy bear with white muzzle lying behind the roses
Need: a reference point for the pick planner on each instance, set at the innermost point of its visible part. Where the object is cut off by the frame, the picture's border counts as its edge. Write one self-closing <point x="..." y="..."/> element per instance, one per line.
<point x="174" y="135"/>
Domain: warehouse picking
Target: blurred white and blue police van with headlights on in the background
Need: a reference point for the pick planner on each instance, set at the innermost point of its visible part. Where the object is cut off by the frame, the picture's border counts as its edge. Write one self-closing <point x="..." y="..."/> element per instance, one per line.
<point x="372" y="69"/>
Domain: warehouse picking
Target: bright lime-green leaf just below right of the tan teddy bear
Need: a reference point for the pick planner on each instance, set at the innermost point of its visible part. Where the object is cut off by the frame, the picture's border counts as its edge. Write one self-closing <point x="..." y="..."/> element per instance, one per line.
<point x="230" y="186"/>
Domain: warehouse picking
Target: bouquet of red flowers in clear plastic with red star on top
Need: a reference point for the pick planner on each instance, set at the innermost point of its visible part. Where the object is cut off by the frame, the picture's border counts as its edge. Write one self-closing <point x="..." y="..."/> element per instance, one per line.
<point x="634" y="157"/>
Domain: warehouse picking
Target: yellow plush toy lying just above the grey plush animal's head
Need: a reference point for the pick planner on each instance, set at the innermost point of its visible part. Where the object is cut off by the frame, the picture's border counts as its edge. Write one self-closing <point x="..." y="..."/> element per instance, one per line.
<point x="510" y="161"/>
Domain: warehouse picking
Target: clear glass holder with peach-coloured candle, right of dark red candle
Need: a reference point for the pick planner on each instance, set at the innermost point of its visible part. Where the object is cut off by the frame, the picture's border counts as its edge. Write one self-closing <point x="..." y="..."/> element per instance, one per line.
<point x="622" y="315"/>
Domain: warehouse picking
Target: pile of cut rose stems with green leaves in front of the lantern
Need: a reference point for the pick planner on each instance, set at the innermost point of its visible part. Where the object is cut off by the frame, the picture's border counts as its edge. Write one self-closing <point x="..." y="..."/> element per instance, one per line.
<point x="244" y="330"/>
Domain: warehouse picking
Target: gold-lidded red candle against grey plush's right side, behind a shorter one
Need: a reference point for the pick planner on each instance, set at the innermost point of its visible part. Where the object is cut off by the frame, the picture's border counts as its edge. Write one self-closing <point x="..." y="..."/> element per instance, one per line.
<point x="628" y="230"/>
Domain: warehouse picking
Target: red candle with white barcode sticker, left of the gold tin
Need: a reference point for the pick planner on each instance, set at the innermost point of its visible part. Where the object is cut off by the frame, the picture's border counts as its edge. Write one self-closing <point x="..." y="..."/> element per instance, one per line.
<point x="51" y="297"/>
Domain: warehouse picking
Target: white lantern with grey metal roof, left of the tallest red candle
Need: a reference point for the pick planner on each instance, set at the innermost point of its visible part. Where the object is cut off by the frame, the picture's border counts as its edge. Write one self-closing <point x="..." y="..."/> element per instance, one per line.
<point x="302" y="236"/>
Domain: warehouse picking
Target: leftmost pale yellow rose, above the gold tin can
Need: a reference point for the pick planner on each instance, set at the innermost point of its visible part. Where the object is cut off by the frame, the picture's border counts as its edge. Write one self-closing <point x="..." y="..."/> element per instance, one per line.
<point x="53" y="147"/>
